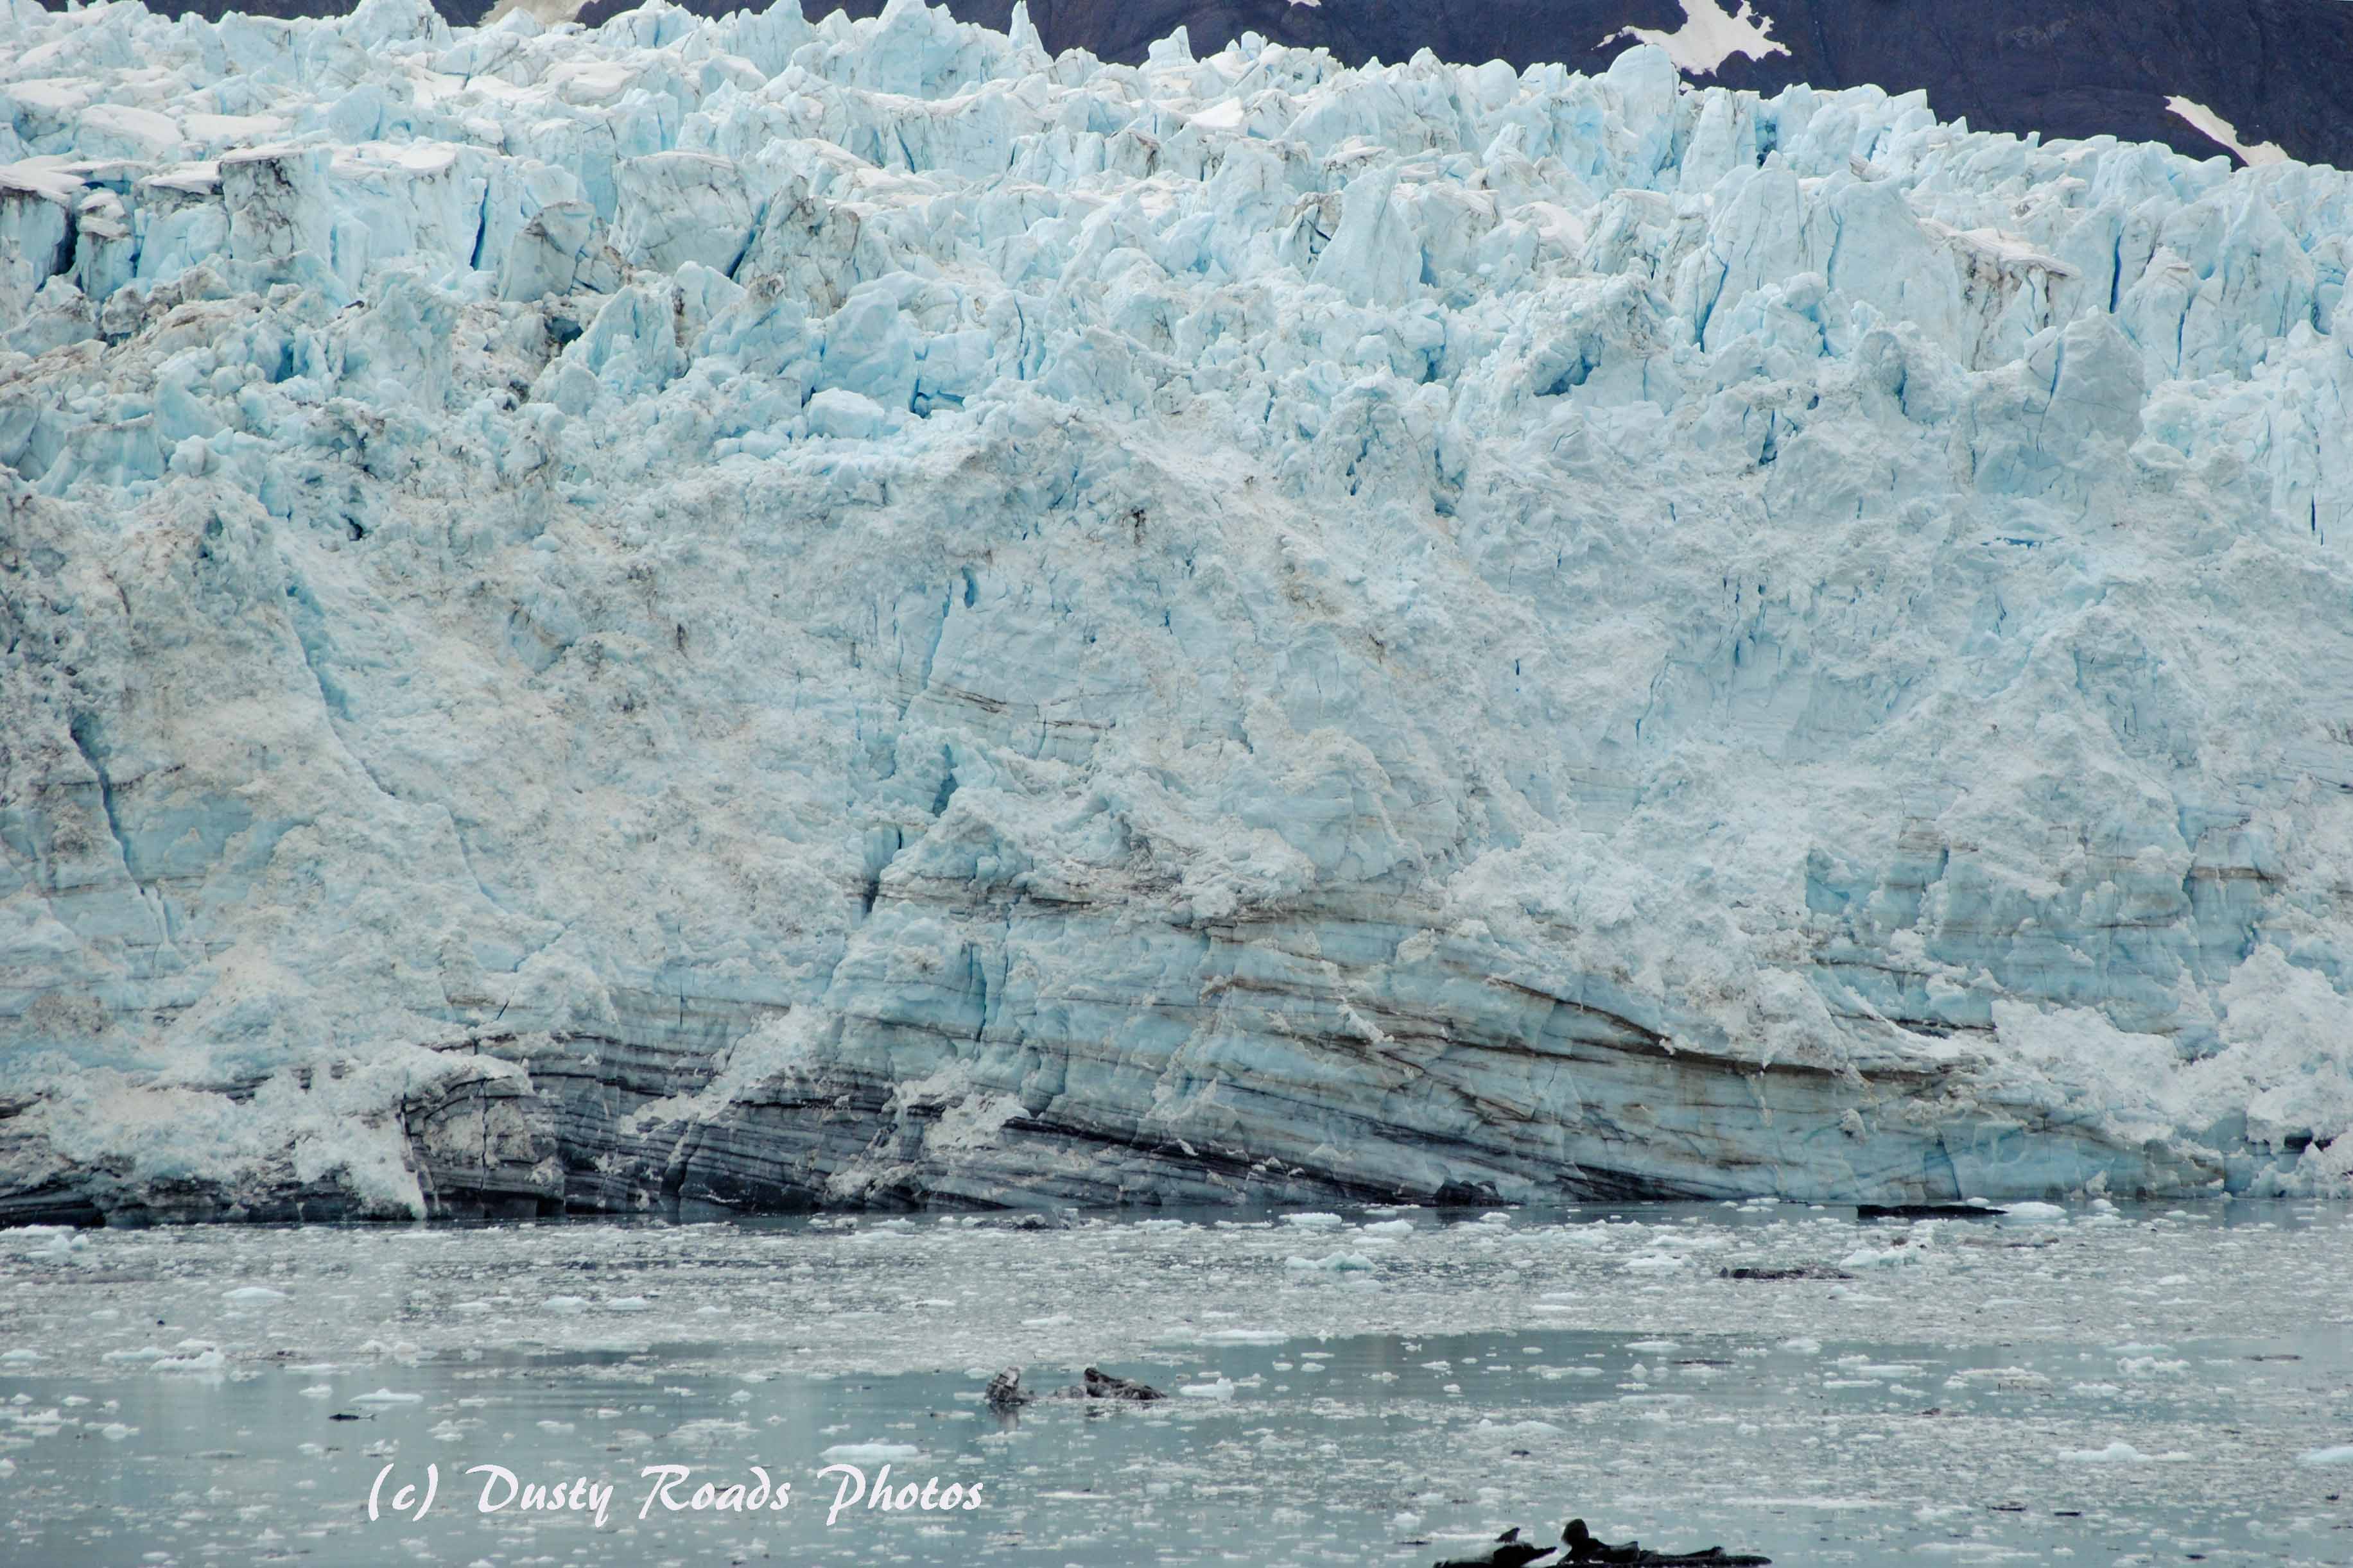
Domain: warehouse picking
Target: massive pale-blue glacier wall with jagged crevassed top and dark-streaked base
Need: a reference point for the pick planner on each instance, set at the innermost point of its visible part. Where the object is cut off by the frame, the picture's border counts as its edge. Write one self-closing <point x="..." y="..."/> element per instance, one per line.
<point x="853" y="615"/>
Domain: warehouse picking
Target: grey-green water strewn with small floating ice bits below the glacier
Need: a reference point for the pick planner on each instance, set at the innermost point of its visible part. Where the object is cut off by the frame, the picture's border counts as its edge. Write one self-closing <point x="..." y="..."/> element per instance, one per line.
<point x="1382" y="1386"/>
